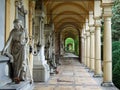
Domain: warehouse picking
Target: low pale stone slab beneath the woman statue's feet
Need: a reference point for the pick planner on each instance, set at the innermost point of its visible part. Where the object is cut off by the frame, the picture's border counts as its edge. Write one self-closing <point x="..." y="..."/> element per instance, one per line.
<point x="24" y="85"/>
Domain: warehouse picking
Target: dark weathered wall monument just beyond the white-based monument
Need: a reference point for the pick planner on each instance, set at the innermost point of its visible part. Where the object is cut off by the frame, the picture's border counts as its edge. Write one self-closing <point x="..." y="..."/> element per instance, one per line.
<point x="49" y="48"/>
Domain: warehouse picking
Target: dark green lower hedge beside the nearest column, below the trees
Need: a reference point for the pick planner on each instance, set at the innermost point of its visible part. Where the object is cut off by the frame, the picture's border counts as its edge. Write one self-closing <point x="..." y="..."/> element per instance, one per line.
<point x="116" y="63"/>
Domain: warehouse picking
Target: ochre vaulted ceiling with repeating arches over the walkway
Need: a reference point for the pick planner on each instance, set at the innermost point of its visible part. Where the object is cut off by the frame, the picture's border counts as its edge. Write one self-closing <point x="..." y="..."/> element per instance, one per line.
<point x="68" y="13"/>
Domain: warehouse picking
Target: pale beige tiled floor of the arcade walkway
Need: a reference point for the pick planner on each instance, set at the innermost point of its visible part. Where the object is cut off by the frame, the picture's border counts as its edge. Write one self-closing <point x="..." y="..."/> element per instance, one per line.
<point x="72" y="76"/>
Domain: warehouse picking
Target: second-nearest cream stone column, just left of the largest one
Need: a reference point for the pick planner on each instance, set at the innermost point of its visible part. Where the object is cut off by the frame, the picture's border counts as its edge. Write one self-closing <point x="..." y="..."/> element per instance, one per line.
<point x="98" y="69"/>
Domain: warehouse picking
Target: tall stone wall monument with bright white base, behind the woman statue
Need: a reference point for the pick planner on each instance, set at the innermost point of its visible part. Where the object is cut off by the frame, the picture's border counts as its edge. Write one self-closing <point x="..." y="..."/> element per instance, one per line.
<point x="41" y="71"/>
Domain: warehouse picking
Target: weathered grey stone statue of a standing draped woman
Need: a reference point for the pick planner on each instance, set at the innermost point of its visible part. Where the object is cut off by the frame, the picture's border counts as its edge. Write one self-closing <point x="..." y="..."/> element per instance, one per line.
<point x="17" y="43"/>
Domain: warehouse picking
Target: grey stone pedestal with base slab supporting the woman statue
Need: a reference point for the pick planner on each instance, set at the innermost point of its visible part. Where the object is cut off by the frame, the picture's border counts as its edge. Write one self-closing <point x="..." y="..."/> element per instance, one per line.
<point x="5" y="80"/>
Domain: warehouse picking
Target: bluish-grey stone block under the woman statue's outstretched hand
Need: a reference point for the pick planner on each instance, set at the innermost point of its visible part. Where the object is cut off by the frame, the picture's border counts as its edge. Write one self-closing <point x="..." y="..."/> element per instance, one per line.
<point x="4" y="71"/>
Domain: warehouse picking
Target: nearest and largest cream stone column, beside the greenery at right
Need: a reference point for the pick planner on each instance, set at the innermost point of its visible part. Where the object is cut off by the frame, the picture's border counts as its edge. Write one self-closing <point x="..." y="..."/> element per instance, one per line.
<point x="107" y="46"/>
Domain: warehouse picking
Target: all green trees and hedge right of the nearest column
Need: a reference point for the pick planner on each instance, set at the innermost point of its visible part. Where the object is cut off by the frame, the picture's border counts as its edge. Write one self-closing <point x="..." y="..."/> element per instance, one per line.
<point x="116" y="45"/>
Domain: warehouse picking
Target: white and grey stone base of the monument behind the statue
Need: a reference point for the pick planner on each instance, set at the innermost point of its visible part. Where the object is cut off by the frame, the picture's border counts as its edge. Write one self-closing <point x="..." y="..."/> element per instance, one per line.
<point x="41" y="71"/>
